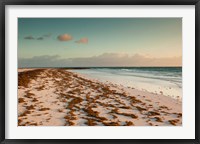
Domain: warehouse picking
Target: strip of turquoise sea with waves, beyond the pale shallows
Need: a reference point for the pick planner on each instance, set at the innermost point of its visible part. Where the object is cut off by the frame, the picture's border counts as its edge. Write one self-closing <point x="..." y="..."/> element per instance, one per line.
<point x="171" y="74"/>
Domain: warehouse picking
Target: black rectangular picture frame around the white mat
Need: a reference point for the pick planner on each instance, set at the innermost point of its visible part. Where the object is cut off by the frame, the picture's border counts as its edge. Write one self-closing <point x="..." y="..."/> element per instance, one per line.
<point x="3" y="4"/>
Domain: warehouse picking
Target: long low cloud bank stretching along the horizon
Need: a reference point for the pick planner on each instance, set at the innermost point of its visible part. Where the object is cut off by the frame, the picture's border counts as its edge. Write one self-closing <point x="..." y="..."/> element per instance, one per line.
<point x="104" y="60"/>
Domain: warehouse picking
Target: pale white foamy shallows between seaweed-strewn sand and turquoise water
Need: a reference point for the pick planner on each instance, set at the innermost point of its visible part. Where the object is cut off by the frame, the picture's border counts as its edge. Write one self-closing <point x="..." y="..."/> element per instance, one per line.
<point x="158" y="86"/>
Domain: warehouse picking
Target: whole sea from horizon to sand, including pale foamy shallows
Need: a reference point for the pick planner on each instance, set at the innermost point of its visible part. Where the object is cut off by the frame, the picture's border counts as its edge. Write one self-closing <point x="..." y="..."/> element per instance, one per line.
<point x="159" y="80"/>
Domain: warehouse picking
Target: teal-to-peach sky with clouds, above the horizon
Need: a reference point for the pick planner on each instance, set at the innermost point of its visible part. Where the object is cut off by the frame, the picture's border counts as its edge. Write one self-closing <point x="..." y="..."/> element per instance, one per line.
<point x="83" y="42"/>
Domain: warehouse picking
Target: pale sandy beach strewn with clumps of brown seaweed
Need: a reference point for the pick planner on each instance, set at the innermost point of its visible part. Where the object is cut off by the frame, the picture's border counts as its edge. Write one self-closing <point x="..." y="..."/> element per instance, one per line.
<point x="59" y="97"/>
